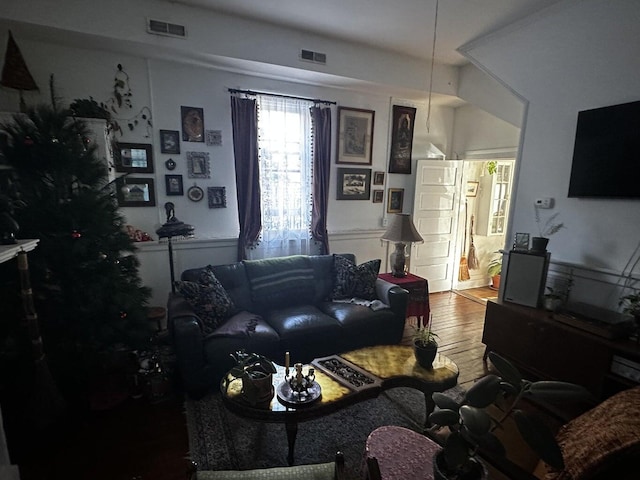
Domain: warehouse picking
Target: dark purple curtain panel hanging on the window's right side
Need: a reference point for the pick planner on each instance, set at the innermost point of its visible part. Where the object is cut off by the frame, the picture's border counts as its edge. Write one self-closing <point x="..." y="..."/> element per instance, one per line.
<point x="321" y="121"/>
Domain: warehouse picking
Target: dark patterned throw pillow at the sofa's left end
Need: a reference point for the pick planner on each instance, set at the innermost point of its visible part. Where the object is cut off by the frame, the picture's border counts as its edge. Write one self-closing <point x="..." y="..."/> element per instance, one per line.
<point x="210" y="302"/>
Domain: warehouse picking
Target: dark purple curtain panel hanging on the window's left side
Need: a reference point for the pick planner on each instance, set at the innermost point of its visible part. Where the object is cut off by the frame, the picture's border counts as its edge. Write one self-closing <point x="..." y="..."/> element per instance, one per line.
<point x="244" y="118"/>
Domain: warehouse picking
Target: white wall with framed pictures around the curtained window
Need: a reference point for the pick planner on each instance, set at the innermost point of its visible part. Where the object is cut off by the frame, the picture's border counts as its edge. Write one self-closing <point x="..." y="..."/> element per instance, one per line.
<point x="83" y="56"/>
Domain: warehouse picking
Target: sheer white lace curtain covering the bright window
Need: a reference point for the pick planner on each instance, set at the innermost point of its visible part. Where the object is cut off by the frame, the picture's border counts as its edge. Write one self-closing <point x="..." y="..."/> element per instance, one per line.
<point x="285" y="157"/>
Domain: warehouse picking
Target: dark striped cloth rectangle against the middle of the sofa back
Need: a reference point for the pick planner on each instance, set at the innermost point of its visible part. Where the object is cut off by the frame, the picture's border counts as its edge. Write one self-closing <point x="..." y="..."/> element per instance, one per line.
<point x="280" y="281"/>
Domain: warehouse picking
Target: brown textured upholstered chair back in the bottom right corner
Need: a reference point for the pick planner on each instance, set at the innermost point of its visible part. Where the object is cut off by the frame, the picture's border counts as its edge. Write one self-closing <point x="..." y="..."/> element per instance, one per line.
<point x="604" y="437"/>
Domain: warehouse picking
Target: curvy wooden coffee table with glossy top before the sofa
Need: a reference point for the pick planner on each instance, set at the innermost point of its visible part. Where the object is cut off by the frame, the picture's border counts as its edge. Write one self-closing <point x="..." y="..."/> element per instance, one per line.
<point x="384" y="366"/>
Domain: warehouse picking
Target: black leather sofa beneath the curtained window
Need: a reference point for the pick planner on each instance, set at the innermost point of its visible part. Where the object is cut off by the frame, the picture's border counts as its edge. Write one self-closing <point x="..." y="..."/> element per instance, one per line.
<point x="308" y="326"/>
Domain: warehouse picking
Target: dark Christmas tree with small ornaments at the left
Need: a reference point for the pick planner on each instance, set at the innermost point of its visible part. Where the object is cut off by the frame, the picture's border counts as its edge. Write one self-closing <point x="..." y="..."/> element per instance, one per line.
<point x="84" y="272"/>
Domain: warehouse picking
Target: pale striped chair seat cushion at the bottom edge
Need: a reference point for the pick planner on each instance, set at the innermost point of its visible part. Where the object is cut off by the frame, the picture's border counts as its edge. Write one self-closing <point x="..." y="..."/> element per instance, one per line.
<point x="319" y="471"/>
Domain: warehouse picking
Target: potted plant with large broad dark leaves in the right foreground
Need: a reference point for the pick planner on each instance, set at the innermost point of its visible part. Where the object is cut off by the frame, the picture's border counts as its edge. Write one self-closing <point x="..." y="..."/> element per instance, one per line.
<point x="472" y="428"/>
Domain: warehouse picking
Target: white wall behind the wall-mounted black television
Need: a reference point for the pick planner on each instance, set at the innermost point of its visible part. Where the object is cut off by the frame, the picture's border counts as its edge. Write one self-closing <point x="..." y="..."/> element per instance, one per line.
<point x="578" y="55"/>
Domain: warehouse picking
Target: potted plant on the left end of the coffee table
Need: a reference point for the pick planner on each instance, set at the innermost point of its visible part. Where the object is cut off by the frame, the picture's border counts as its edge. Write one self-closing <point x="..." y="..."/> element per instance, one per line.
<point x="256" y="372"/>
